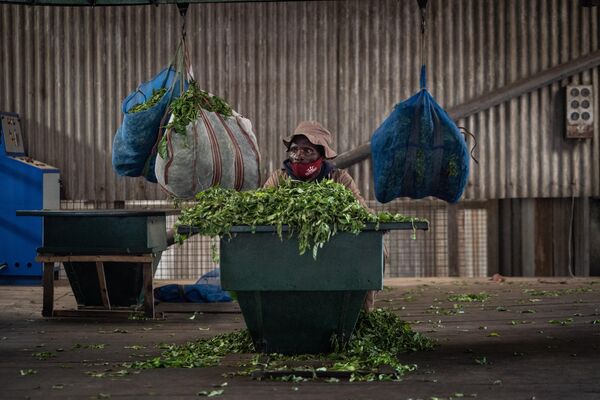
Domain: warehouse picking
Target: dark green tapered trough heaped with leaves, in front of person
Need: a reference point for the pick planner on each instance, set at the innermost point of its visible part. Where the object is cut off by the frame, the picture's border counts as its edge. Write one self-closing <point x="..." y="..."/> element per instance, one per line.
<point x="292" y="303"/>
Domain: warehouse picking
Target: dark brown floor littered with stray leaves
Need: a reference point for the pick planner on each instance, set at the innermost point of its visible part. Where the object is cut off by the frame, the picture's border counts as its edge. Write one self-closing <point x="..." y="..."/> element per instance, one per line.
<point x="531" y="339"/>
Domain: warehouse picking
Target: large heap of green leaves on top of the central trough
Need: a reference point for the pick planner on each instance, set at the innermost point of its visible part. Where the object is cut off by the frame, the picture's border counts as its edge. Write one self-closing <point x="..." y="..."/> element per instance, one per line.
<point x="313" y="212"/>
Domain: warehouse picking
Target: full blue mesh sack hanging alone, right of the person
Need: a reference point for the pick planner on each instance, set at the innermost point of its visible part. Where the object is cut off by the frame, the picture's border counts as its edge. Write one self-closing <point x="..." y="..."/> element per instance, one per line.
<point x="419" y="151"/>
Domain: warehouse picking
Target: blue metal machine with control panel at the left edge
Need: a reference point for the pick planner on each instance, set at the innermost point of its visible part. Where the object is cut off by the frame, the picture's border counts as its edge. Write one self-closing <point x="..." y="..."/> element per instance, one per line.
<point x="27" y="184"/>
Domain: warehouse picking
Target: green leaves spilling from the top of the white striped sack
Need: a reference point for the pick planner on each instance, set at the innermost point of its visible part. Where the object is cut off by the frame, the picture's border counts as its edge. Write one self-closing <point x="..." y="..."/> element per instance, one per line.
<point x="185" y="109"/>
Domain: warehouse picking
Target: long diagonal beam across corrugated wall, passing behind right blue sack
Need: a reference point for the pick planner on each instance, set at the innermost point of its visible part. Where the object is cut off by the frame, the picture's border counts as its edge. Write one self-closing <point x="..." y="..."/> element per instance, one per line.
<point x="492" y="99"/>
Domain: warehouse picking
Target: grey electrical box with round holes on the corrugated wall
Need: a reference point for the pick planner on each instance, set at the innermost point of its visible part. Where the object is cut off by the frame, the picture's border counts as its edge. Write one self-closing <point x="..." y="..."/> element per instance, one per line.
<point x="580" y="112"/>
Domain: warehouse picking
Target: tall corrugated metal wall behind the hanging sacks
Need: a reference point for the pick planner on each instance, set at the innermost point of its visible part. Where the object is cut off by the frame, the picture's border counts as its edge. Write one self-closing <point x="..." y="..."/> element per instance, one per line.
<point x="345" y="63"/>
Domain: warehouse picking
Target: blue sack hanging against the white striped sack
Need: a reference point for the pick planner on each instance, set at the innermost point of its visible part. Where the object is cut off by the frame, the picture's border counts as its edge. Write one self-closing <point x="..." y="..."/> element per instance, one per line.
<point x="134" y="152"/>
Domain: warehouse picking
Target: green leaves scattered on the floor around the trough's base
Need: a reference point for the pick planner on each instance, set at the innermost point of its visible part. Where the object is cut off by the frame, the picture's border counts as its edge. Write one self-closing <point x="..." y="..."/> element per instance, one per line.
<point x="370" y="354"/>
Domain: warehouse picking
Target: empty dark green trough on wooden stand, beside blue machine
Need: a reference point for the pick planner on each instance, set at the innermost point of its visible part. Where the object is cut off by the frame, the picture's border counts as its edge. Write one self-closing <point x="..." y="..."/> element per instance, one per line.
<point x="84" y="240"/>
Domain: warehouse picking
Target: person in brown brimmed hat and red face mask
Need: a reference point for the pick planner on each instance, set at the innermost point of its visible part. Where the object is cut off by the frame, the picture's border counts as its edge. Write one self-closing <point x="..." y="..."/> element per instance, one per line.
<point x="308" y="154"/>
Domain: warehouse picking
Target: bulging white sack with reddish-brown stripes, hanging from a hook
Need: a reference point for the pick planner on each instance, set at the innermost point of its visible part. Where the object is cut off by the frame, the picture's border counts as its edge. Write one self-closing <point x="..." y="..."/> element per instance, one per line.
<point x="215" y="150"/>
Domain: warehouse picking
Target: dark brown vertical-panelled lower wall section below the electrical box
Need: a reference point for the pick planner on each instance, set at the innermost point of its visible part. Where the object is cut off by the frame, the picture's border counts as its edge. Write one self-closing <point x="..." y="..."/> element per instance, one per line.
<point x="542" y="237"/>
